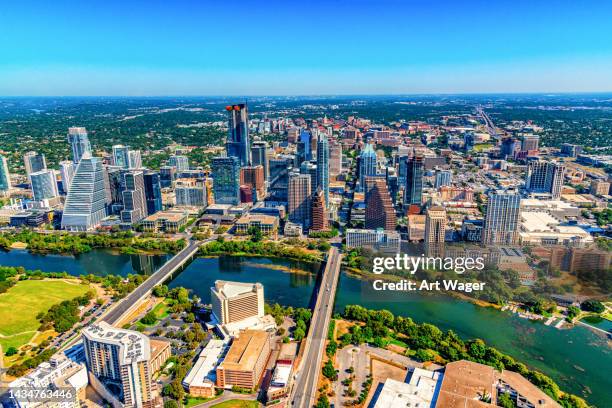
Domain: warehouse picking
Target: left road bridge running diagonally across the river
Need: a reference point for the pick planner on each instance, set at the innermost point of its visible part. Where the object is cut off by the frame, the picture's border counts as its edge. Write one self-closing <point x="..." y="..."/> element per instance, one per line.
<point x="114" y="315"/>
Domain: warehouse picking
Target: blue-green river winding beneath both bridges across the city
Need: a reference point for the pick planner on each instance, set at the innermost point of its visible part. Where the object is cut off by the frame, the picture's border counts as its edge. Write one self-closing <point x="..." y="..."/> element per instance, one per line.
<point x="579" y="360"/>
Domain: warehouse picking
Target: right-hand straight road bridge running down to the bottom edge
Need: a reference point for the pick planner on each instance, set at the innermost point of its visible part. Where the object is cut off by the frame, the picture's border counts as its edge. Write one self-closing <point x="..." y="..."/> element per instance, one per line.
<point x="305" y="387"/>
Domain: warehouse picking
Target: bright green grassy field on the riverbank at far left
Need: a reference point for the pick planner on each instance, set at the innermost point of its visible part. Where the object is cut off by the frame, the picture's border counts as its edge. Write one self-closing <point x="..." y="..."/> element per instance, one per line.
<point x="20" y="305"/>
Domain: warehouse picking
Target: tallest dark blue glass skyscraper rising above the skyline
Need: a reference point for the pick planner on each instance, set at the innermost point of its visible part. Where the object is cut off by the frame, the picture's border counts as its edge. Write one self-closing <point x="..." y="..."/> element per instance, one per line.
<point x="238" y="144"/>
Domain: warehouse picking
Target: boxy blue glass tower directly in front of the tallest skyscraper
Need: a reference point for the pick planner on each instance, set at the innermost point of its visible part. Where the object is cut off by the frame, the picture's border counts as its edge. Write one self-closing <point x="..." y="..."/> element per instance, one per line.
<point x="226" y="180"/>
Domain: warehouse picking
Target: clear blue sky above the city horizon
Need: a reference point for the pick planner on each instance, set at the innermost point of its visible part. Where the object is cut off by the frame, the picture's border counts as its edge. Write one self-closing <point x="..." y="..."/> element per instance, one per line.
<point x="274" y="47"/>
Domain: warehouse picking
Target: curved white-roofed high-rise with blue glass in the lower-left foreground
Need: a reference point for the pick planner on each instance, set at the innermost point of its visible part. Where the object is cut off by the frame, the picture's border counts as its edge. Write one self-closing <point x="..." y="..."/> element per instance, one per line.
<point x="118" y="364"/>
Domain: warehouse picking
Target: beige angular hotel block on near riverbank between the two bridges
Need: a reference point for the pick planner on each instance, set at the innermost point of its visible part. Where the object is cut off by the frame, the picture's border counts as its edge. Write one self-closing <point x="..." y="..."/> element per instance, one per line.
<point x="235" y="301"/>
